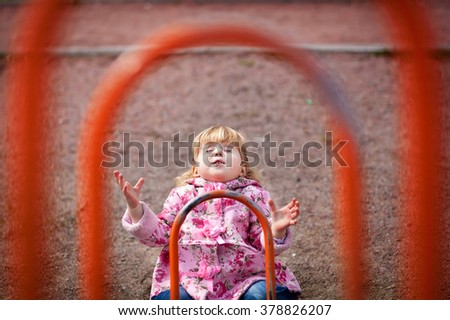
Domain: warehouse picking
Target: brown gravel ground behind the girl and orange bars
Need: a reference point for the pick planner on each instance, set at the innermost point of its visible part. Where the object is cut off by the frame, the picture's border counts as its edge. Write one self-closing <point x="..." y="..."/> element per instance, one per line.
<point x="256" y="94"/>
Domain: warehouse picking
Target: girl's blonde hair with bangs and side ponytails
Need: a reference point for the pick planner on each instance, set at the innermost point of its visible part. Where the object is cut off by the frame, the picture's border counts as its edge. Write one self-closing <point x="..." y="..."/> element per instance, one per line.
<point x="224" y="135"/>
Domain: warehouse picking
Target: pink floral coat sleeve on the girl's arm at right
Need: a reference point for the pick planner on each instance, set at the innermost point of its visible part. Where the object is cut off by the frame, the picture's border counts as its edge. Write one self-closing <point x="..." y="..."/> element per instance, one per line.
<point x="256" y="232"/>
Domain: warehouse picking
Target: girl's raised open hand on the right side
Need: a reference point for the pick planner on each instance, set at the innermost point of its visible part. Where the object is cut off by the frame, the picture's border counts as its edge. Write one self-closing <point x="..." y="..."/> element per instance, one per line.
<point x="284" y="217"/>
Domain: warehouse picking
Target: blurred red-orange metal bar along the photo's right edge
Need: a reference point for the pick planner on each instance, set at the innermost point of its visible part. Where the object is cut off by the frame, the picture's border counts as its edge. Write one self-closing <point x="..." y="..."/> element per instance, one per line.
<point x="420" y="115"/>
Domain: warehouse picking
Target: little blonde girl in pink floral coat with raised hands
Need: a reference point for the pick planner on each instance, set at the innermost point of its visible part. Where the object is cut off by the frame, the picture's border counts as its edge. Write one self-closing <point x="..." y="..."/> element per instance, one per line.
<point x="221" y="246"/>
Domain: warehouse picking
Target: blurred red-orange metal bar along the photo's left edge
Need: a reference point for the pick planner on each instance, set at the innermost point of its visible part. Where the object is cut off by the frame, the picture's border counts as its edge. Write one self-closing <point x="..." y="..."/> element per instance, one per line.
<point x="27" y="139"/>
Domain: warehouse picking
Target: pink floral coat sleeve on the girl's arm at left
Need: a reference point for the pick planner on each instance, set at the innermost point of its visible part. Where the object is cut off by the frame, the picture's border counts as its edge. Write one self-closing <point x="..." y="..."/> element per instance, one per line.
<point x="154" y="230"/>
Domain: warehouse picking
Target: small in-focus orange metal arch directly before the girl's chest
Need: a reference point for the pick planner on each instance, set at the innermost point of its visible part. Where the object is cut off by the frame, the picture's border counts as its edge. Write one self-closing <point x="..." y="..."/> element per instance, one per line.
<point x="268" y="240"/>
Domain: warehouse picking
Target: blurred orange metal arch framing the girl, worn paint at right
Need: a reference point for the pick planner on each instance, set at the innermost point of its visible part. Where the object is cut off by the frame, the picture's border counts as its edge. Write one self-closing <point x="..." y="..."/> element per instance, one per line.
<point x="127" y="70"/>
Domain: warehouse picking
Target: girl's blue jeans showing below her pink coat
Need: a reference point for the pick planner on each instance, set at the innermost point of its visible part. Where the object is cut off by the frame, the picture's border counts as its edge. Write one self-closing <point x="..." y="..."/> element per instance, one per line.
<point x="256" y="291"/>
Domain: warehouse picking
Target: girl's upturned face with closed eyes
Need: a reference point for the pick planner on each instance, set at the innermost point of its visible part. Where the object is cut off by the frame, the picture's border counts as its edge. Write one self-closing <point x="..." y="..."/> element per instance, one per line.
<point x="219" y="162"/>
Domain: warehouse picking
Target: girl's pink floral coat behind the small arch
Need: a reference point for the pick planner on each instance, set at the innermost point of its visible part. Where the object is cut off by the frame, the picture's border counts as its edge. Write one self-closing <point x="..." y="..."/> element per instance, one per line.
<point x="221" y="246"/>
